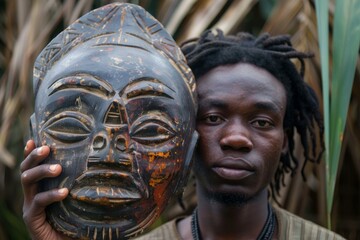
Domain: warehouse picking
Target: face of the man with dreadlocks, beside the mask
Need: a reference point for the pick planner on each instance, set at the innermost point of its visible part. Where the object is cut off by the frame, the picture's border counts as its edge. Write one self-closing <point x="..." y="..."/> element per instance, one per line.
<point x="241" y="135"/>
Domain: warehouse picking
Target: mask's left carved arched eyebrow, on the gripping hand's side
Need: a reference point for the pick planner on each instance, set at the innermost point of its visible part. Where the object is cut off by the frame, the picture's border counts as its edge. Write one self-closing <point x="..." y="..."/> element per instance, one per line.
<point x="83" y="82"/>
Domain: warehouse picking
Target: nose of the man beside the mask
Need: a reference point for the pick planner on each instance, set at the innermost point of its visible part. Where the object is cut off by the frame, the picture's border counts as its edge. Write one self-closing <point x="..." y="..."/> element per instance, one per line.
<point x="236" y="135"/>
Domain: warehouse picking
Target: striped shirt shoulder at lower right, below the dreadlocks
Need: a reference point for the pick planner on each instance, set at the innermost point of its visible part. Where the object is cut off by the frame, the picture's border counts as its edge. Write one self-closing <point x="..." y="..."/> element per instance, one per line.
<point x="295" y="227"/>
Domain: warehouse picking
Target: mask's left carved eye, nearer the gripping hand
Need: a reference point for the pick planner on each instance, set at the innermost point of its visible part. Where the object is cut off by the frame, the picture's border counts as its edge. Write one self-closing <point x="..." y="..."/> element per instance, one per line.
<point x="68" y="127"/>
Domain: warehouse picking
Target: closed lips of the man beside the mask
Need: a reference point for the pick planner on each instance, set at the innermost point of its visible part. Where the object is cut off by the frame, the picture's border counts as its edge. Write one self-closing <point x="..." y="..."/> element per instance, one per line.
<point x="233" y="169"/>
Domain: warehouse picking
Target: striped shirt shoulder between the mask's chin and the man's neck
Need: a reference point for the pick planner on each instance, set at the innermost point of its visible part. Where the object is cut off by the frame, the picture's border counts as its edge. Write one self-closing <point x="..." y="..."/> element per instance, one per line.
<point x="164" y="232"/>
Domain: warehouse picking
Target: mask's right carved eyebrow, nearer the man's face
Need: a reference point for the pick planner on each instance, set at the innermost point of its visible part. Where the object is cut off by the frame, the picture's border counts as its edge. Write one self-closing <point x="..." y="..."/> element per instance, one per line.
<point x="147" y="87"/>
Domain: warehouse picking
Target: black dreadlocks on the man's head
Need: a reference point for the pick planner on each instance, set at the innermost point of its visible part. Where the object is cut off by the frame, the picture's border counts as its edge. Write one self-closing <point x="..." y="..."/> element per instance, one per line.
<point x="273" y="54"/>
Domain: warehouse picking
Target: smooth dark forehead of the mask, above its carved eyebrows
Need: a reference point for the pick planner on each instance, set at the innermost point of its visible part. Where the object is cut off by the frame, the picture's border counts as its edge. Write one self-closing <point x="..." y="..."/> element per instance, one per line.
<point x="118" y="65"/>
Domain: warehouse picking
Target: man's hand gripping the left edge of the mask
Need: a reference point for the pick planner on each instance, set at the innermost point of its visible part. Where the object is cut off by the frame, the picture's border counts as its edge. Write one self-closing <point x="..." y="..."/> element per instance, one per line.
<point x="35" y="202"/>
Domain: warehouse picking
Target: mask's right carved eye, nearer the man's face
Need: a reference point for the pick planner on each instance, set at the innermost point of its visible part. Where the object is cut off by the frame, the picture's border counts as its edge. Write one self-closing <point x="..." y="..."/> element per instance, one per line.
<point x="152" y="133"/>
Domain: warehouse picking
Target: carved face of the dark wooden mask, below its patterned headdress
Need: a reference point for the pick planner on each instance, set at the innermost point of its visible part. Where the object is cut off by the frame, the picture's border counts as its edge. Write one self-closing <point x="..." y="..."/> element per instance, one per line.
<point x="117" y="121"/>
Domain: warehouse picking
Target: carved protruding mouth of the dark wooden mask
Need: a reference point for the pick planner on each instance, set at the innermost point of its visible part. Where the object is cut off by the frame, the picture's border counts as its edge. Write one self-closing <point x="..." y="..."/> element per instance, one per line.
<point x="107" y="187"/>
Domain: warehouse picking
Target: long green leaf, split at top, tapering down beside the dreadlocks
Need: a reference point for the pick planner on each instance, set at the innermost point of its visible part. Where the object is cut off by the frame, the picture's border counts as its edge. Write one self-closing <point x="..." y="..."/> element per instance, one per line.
<point x="346" y="41"/>
